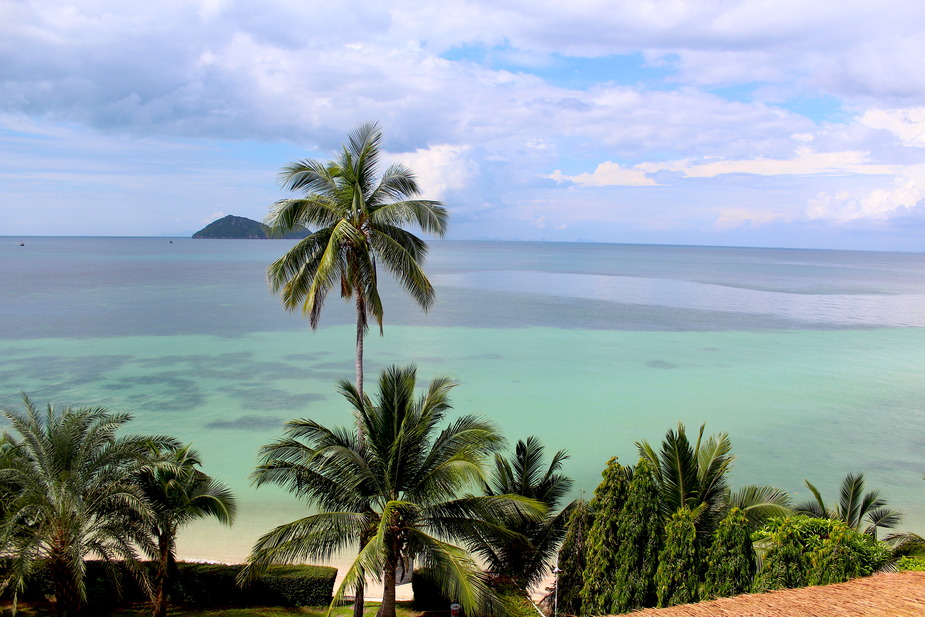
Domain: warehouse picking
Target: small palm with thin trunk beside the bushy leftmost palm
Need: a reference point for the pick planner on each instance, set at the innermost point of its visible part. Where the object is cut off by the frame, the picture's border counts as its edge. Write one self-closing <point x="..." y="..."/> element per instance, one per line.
<point x="179" y="494"/>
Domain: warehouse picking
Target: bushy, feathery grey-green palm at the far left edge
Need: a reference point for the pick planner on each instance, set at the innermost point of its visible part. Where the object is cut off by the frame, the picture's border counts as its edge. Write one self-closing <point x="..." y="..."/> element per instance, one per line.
<point x="76" y="496"/>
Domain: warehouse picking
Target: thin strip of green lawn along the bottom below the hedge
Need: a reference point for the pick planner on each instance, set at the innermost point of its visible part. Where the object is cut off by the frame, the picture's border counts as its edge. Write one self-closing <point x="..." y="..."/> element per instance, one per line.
<point x="143" y="610"/>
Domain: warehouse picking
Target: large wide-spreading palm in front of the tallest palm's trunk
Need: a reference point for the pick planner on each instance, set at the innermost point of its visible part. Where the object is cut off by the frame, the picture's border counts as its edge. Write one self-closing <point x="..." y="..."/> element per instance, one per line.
<point x="398" y="493"/>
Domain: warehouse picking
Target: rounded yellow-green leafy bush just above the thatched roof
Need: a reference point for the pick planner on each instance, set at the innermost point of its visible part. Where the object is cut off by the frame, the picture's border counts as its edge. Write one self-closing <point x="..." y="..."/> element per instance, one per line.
<point x="799" y="551"/>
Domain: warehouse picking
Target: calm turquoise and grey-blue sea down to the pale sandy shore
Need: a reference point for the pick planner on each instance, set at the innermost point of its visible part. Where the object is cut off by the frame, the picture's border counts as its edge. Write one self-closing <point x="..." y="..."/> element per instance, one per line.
<point x="812" y="361"/>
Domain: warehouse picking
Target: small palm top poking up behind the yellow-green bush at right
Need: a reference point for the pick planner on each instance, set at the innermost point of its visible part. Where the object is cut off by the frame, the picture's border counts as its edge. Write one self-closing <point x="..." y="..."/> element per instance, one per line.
<point x="854" y="507"/>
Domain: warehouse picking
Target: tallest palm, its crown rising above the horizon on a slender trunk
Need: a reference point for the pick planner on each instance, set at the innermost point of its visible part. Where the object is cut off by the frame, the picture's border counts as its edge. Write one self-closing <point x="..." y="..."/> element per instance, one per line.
<point x="359" y="221"/>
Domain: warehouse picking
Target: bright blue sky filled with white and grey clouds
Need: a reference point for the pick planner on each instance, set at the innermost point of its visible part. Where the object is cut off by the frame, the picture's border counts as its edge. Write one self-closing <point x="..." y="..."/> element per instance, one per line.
<point x="714" y="122"/>
